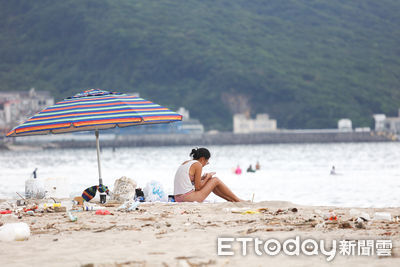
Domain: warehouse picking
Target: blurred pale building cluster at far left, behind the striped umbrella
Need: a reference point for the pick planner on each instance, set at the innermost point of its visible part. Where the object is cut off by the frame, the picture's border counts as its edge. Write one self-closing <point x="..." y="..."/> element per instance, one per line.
<point x="17" y="106"/>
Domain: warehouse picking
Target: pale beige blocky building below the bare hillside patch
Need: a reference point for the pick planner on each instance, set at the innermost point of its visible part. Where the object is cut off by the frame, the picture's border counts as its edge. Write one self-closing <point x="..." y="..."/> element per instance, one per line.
<point x="242" y="123"/>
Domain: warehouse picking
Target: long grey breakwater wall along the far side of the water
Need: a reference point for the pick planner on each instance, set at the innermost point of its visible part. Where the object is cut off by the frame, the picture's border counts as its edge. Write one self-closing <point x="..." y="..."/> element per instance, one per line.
<point x="111" y="140"/>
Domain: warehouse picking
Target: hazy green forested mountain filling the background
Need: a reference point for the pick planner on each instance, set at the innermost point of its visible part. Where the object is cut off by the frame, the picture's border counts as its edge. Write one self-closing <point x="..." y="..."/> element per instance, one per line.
<point x="305" y="62"/>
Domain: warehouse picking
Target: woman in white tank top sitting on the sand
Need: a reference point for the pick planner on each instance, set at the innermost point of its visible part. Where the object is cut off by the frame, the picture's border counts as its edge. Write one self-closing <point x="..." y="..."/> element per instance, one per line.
<point x="190" y="185"/>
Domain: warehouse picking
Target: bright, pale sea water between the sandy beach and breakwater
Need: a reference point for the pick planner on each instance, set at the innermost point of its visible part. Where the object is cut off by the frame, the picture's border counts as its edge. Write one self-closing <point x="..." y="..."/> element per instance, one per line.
<point x="368" y="174"/>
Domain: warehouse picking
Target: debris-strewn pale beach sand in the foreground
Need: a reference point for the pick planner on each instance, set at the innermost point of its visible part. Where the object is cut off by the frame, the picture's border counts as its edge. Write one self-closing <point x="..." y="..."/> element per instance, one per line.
<point x="185" y="234"/>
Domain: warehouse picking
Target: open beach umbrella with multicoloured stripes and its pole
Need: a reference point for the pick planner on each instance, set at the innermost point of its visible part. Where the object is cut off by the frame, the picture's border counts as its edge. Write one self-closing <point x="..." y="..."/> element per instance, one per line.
<point x="95" y="110"/>
